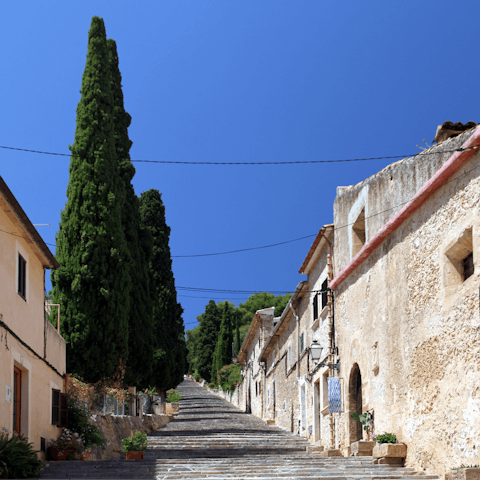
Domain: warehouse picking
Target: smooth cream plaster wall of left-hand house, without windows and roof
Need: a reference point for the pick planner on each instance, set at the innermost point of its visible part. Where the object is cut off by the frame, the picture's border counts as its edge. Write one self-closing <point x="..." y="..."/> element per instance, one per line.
<point x="27" y="320"/>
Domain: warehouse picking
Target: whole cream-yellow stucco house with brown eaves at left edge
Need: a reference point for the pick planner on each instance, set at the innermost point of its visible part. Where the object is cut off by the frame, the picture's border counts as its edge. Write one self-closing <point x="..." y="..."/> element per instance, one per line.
<point x="32" y="352"/>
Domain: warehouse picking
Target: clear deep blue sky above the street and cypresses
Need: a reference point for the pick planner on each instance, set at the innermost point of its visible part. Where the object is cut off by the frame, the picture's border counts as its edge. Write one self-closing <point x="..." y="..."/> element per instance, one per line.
<point x="237" y="81"/>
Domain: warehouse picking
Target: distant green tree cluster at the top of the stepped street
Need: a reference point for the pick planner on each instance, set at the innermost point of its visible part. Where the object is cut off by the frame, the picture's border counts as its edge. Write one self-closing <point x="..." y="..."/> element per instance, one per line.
<point x="209" y="345"/>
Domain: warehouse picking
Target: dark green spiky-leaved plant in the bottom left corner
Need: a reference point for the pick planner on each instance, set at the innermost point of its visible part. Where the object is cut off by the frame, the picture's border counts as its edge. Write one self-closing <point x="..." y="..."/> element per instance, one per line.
<point x="18" y="459"/>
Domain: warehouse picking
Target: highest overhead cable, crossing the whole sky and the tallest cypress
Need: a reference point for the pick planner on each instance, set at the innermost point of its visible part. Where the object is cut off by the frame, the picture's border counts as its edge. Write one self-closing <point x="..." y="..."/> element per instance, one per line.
<point x="292" y="162"/>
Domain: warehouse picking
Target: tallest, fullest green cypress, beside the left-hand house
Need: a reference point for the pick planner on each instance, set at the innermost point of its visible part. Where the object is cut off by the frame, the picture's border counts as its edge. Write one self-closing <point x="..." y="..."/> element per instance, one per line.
<point x="92" y="284"/>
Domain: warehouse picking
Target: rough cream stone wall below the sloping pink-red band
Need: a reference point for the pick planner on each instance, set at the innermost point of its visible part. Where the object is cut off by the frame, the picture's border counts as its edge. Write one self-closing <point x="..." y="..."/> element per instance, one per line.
<point x="397" y="309"/>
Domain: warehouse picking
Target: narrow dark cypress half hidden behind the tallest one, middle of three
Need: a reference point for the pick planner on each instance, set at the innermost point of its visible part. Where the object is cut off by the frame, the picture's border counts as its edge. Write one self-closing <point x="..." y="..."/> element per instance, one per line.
<point x="139" y="241"/>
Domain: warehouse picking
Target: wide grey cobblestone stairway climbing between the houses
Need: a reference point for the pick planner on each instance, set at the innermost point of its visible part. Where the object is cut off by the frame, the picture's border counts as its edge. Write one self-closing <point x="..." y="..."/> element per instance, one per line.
<point x="210" y="438"/>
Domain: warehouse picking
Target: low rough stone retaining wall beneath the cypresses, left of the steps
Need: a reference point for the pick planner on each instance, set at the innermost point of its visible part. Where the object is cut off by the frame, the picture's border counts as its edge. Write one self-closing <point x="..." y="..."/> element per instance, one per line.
<point x="116" y="427"/>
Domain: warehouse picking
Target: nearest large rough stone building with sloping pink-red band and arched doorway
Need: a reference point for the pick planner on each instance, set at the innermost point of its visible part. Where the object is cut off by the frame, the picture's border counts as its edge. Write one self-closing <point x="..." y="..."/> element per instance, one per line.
<point x="407" y="303"/>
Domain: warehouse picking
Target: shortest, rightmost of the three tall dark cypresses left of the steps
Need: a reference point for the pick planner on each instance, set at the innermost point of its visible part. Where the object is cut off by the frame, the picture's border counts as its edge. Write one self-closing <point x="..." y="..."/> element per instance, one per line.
<point x="169" y="363"/>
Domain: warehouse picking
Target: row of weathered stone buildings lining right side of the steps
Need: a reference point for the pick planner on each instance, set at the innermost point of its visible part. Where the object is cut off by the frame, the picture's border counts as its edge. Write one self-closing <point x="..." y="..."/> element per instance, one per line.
<point x="404" y="328"/>
